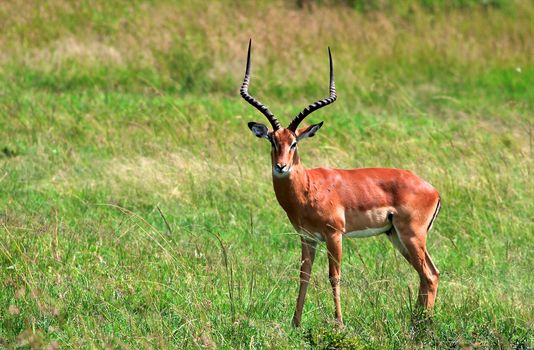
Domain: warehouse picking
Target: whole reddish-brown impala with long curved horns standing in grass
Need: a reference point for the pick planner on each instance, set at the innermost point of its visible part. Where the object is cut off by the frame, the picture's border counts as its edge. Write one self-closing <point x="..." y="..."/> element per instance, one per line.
<point x="331" y="204"/>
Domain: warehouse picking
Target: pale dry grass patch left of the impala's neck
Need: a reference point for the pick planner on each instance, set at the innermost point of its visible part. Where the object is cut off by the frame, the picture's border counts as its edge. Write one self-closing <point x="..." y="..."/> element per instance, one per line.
<point x="169" y="176"/>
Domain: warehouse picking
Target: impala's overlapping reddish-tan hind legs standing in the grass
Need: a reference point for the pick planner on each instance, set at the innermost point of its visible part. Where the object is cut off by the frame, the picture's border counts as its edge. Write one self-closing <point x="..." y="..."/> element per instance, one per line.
<point x="410" y="240"/>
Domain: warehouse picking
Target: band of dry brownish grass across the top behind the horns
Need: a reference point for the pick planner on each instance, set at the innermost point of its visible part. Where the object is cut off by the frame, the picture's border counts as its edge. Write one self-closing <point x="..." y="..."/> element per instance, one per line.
<point x="220" y="31"/>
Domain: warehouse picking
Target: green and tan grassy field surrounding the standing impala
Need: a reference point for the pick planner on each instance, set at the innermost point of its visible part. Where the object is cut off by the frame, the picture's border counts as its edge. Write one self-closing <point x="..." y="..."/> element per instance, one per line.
<point x="137" y="210"/>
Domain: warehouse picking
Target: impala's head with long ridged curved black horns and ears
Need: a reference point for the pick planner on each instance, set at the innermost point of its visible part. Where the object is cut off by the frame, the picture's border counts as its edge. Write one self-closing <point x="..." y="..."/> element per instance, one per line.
<point x="284" y="140"/>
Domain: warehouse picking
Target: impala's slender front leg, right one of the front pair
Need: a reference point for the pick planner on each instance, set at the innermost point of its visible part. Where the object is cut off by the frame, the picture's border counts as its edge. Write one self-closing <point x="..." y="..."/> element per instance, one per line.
<point x="334" y="247"/>
